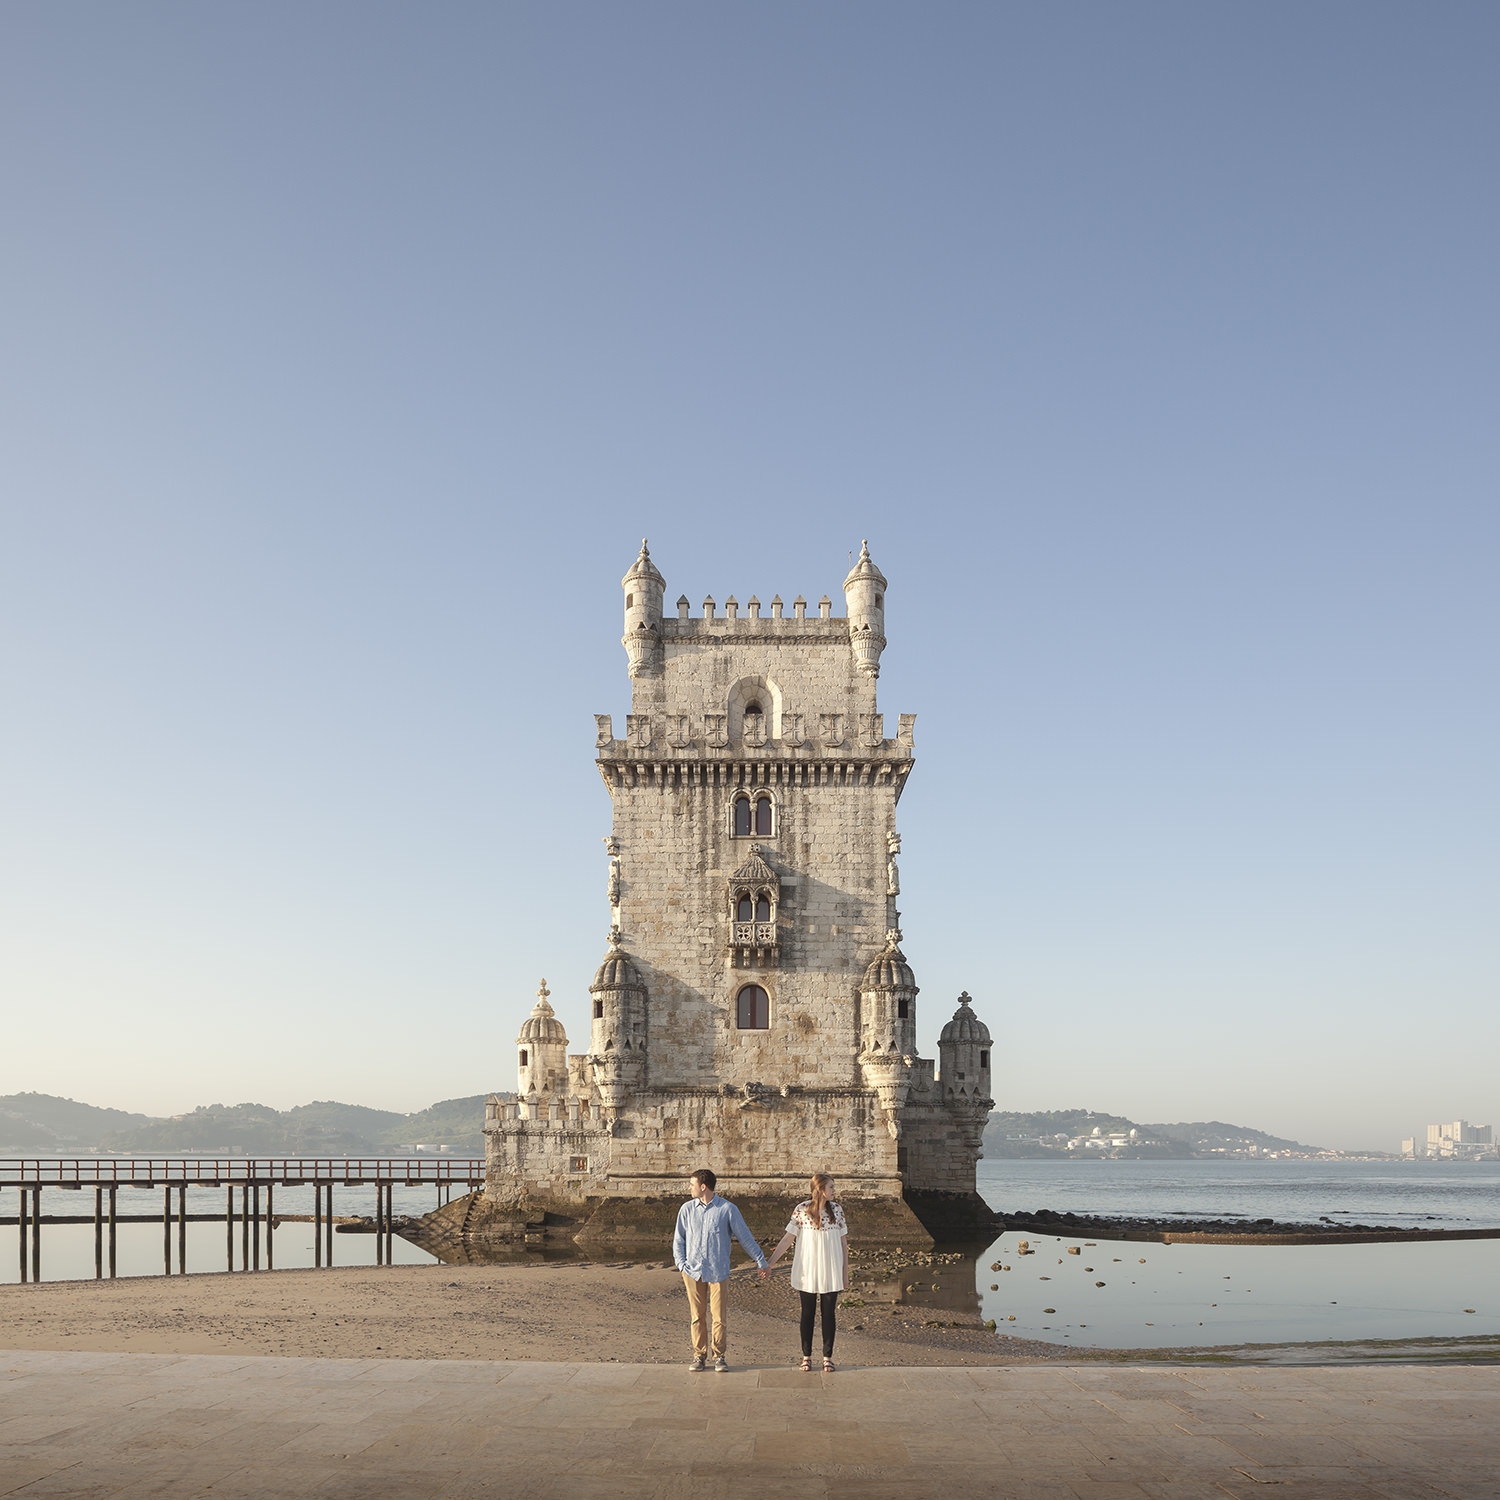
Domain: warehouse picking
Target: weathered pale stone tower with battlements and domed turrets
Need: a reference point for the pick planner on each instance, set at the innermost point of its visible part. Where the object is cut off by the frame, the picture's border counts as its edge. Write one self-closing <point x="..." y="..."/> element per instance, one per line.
<point x="754" y="1012"/>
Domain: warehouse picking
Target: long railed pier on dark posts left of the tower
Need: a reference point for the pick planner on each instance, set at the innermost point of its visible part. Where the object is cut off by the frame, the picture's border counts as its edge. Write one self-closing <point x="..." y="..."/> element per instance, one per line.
<point x="253" y="1216"/>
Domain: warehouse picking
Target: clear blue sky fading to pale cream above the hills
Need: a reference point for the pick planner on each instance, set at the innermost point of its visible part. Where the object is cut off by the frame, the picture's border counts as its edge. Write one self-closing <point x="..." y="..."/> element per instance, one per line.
<point x="352" y="350"/>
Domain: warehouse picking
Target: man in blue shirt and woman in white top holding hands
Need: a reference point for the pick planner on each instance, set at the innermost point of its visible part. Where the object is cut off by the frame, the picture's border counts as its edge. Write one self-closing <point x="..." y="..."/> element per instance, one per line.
<point x="820" y="1262"/>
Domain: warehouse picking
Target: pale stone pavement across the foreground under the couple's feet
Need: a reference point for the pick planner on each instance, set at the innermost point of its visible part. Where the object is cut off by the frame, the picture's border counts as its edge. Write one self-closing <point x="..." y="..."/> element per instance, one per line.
<point x="176" y="1427"/>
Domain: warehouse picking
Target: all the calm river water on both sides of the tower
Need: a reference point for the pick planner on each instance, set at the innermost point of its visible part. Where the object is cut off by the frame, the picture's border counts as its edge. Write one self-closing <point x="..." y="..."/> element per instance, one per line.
<point x="1153" y="1295"/>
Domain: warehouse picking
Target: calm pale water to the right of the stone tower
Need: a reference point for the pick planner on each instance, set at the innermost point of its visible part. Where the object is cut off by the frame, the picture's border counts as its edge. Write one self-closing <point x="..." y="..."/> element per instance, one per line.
<point x="1166" y="1295"/>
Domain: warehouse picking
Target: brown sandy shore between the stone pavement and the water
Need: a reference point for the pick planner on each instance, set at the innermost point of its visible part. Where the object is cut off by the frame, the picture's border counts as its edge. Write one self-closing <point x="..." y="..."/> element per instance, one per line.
<point x="602" y="1313"/>
